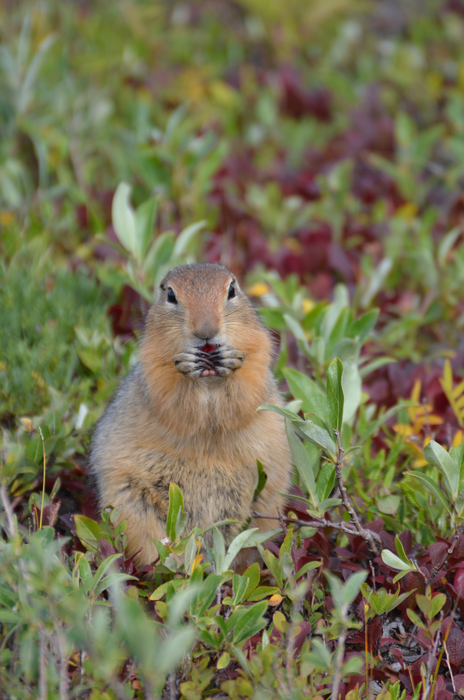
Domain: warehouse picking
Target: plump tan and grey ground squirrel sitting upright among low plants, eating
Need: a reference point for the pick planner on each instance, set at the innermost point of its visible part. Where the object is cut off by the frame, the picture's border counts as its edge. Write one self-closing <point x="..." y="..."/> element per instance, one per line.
<point x="187" y="414"/>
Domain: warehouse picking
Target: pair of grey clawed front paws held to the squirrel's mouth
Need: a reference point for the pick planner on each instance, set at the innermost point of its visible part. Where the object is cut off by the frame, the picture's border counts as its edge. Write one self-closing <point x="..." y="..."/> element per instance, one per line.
<point x="196" y="363"/>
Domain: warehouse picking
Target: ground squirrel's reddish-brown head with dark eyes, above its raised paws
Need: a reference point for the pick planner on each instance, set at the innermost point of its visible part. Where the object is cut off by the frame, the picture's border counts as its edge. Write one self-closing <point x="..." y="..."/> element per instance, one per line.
<point x="201" y="306"/>
